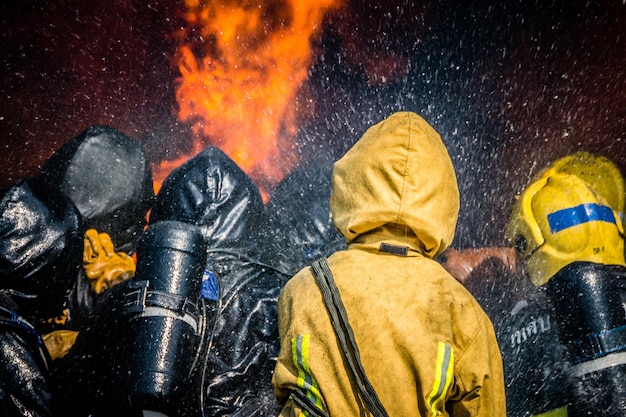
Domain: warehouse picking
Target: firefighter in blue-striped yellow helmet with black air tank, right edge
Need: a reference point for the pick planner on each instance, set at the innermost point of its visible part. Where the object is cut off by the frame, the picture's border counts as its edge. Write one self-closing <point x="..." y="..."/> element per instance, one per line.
<point x="567" y="230"/>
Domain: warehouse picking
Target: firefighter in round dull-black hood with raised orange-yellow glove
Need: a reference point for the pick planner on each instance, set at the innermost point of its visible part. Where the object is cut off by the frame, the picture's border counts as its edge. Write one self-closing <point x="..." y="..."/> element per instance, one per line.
<point x="107" y="176"/>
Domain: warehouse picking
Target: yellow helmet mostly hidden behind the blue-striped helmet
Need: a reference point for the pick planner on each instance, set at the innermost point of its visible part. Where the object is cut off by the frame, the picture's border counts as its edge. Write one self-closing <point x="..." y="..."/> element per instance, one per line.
<point x="602" y="175"/>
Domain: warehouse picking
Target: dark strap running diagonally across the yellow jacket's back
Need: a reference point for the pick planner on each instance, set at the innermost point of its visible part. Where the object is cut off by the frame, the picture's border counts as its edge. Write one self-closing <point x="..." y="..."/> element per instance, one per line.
<point x="339" y="319"/>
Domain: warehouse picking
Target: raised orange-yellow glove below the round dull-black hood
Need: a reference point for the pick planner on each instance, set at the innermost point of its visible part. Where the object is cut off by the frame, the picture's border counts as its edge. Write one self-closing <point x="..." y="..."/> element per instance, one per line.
<point x="103" y="266"/>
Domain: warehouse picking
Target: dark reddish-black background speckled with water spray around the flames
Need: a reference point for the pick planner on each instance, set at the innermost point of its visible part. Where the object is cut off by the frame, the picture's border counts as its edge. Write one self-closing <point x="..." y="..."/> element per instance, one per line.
<point x="509" y="86"/>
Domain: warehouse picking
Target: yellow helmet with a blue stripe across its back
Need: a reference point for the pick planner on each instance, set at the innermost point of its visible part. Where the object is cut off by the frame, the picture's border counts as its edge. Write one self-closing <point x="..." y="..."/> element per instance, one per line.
<point x="560" y="219"/>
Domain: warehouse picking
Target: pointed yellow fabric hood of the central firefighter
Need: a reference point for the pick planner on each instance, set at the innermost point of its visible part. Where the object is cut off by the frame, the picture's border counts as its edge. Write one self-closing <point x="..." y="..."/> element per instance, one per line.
<point x="397" y="184"/>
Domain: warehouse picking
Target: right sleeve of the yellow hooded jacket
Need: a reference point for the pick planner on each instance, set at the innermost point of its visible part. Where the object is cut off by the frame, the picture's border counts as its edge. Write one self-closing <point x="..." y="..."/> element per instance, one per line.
<point x="480" y="377"/>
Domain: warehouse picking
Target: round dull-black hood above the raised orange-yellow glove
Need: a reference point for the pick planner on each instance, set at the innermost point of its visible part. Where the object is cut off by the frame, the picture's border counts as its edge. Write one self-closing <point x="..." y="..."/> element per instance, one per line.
<point x="107" y="176"/>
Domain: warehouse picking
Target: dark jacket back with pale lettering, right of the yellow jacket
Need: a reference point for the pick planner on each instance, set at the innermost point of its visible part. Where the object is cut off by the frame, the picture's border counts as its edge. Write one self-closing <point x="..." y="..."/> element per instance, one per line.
<point x="536" y="366"/>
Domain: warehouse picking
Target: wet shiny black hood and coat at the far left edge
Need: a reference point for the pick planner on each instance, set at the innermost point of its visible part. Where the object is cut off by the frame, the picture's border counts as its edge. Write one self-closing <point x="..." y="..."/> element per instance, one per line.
<point x="40" y="254"/>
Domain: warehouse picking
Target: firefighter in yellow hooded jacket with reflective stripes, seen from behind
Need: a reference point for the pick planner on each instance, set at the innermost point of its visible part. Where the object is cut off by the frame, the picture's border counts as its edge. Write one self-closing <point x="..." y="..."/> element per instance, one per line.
<point x="424" y="343"/>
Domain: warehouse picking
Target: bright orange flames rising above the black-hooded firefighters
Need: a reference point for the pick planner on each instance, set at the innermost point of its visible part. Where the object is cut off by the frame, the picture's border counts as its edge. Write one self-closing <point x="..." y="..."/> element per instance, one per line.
<point x="241" y="64"/>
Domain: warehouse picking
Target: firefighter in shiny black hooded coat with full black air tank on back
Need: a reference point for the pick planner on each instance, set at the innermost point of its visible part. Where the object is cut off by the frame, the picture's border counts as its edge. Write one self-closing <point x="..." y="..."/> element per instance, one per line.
<point x="215" y="352"/>
